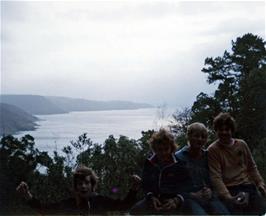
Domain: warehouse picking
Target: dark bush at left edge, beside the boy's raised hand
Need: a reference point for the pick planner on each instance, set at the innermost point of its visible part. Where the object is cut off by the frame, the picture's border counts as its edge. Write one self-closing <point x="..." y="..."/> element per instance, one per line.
<point x="17" y="161"/>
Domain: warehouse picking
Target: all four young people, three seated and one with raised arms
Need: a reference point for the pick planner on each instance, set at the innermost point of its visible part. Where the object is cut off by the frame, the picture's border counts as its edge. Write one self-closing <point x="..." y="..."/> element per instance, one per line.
<point x="221" y="180"/>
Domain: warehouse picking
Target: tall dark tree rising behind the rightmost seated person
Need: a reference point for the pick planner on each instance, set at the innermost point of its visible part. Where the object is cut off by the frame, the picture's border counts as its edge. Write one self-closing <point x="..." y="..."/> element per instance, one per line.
<point x="241" y="78"/>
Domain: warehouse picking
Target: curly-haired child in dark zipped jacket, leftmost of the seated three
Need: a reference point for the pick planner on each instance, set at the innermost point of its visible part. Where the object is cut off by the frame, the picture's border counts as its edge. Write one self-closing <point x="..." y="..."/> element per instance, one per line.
<point x="161" y="176"/>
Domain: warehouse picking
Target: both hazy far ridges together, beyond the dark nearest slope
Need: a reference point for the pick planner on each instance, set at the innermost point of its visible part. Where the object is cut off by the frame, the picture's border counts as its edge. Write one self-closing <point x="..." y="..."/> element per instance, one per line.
<point x="41" y="105"/>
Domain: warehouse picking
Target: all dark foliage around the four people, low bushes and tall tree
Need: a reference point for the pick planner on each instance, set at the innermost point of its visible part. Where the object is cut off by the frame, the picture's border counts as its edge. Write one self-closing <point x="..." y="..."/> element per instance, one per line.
<point x="241" y="78"/>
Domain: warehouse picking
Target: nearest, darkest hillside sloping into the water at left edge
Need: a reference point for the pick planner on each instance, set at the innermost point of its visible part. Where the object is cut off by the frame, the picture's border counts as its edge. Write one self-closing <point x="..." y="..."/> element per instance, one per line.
<point x="14" y="119"/>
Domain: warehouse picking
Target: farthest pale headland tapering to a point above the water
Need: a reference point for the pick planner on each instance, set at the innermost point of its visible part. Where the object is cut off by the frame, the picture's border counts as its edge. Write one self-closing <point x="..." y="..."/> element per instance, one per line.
<point x="74" y="104"/>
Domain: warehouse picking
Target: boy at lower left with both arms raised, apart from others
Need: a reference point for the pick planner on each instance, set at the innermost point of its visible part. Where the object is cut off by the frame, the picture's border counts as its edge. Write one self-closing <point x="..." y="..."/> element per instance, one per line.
<point x="85" y="200"/>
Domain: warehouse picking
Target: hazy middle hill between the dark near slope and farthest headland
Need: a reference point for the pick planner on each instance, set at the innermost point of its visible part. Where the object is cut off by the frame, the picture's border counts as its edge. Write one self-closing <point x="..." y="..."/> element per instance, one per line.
<point x="33" y="104"/>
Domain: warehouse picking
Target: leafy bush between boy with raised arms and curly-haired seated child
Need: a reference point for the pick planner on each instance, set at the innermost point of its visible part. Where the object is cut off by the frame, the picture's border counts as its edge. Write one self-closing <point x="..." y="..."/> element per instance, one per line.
<point x="115" y="157"/>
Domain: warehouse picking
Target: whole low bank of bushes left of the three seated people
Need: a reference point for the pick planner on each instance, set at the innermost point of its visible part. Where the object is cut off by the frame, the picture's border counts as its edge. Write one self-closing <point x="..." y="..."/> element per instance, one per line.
<point x="50" y="176"/>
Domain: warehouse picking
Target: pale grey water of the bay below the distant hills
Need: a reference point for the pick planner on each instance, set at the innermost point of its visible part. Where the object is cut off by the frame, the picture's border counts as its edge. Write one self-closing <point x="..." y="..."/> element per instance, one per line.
<point x="56" y="131"/>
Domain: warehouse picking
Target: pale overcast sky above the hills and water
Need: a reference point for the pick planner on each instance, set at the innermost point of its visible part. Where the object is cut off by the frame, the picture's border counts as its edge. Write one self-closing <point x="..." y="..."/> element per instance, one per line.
<point x="144" y="51"/>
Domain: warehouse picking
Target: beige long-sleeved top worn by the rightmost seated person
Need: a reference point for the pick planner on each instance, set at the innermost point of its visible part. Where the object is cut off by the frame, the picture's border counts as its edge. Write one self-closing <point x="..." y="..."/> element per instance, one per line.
<point x="232" y="165"/>
